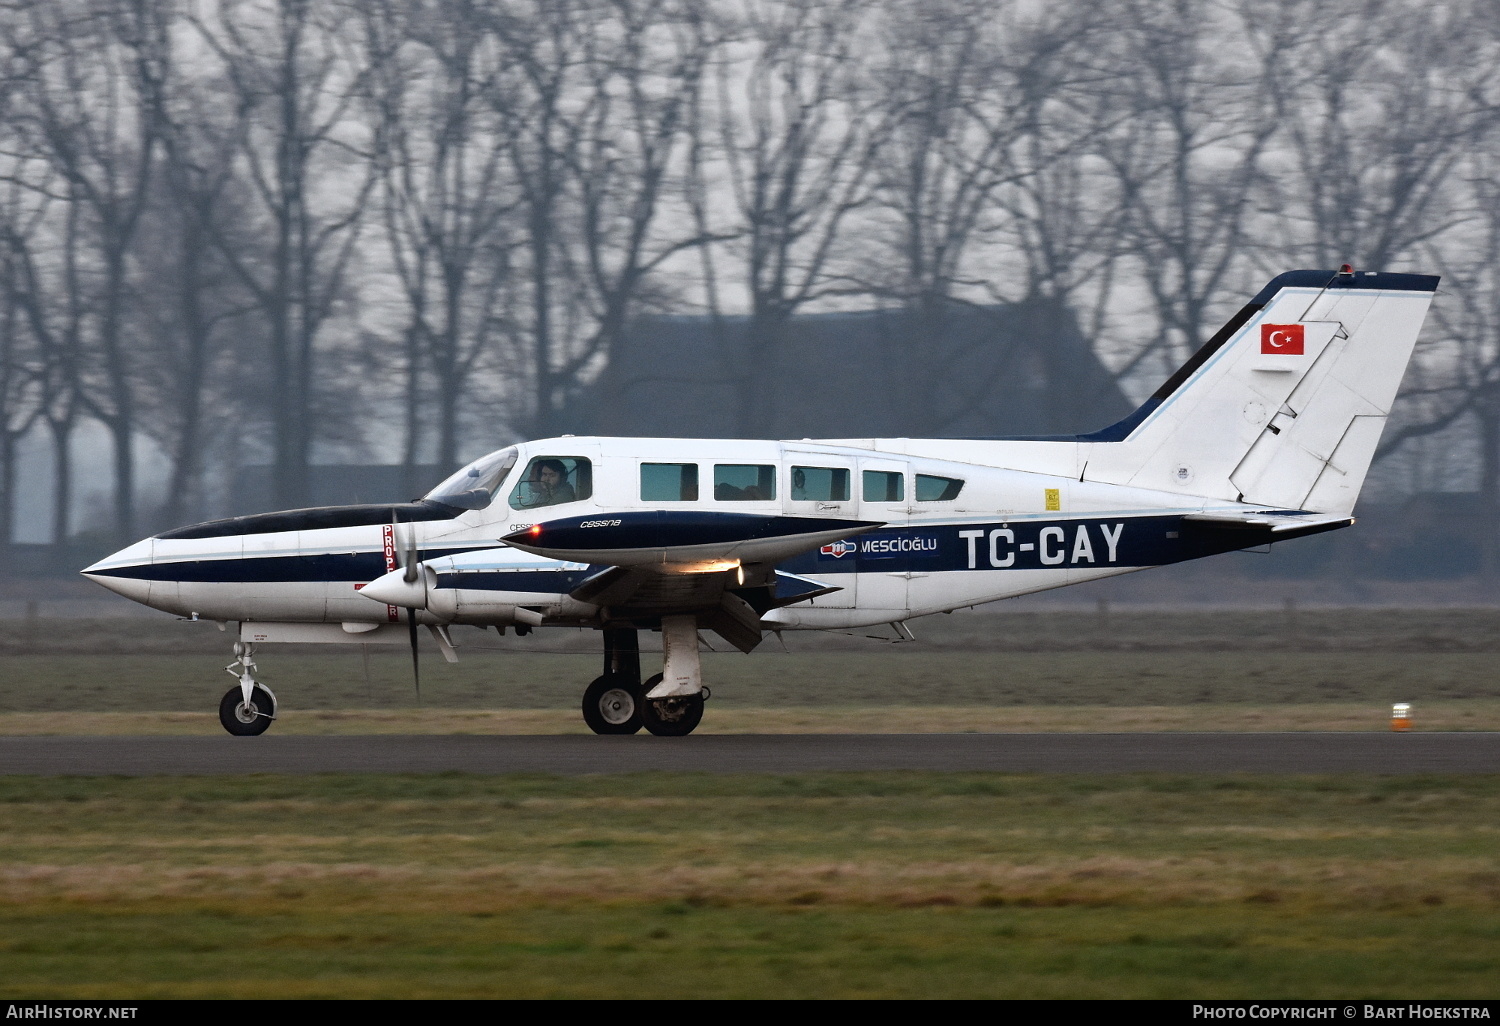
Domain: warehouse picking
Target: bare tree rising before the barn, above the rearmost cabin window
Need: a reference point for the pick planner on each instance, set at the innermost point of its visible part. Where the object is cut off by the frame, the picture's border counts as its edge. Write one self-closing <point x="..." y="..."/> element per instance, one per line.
<point x="983" y="173"/>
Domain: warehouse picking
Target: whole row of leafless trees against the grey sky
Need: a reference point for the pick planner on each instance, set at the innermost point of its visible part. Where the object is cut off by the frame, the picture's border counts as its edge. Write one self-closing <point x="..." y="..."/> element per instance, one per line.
<point x="244" y="227"/>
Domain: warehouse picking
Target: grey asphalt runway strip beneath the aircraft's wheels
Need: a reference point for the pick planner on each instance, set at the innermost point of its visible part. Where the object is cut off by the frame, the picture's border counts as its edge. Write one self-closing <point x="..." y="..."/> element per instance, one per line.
<point x="1373" y="754"/>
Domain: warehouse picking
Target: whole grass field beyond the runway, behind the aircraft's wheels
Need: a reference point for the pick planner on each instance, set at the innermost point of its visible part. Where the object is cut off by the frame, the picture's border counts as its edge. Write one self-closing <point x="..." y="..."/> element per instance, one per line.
<point x="1303" y="670"/>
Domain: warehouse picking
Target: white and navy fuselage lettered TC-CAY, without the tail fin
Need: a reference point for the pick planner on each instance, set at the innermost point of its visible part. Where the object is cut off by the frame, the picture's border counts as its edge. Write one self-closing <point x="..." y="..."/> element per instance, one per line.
<point x="1006" y="530"/>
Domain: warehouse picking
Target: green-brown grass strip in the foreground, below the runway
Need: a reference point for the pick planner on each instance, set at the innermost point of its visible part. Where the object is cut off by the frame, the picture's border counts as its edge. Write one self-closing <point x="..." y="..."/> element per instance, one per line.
<point x="892" y="884"/>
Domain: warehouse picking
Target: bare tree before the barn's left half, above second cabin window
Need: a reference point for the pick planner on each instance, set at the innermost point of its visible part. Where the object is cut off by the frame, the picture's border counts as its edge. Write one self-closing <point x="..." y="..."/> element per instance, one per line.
<point x="796" y="143"/>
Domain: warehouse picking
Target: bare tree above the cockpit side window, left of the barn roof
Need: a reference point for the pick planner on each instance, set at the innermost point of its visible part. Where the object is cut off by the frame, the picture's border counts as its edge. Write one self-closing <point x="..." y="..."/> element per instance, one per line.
<point x="598" y="125"/>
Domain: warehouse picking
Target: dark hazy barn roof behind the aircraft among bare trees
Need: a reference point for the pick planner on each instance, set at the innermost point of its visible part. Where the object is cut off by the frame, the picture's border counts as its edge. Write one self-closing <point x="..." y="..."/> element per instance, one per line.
<point x="1021" y="370"/>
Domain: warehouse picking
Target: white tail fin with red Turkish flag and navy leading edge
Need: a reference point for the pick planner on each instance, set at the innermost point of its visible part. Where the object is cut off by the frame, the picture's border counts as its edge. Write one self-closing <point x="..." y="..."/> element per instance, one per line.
<point x="1286" y="403"/>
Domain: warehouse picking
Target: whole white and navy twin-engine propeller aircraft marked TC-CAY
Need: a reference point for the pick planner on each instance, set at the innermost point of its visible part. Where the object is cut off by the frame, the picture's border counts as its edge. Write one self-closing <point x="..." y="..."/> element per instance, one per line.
<point x="1264" y="436"/>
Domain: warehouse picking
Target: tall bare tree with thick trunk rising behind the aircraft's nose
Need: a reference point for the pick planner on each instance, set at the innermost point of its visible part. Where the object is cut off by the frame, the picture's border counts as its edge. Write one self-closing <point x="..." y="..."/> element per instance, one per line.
<point x="293" y="91"/>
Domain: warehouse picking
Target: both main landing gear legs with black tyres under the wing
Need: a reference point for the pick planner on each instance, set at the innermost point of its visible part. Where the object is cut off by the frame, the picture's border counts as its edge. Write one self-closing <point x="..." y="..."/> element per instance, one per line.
<point x="670" y="704"/>
